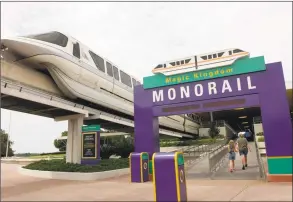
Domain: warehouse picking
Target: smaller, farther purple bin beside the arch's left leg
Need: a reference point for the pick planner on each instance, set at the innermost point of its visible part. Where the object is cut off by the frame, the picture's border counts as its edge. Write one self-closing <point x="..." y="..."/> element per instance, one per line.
<point x="139" y="167"/>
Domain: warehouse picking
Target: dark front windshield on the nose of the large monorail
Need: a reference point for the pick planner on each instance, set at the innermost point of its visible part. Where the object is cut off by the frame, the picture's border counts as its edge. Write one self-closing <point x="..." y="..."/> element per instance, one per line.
<point x="52" y="37"/>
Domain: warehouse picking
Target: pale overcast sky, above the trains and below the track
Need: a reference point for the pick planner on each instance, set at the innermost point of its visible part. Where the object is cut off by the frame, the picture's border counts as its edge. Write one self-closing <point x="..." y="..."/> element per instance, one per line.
<point x="137" y="36"/>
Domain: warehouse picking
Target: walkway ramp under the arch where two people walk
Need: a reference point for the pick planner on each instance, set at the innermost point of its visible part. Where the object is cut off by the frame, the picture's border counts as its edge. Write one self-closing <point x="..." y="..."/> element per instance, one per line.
<point x="251" y="172"/>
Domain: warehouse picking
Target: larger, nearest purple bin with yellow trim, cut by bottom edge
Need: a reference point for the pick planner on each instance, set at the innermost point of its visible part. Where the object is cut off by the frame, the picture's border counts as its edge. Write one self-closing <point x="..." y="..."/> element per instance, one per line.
<point x="169" y="177"/>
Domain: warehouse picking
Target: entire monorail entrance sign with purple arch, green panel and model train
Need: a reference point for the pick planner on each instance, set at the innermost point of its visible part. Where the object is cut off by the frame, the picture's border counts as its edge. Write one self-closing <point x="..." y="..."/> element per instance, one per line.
<point x="216" y="82"/>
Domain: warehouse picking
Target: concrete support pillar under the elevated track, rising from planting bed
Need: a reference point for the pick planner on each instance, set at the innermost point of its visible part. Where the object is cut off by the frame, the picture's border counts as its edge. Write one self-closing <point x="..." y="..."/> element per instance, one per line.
<point x="73" y="147"/>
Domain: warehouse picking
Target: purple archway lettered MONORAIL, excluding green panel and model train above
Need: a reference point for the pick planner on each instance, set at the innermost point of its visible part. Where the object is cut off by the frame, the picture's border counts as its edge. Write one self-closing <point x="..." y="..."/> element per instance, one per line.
<point x="265" y="89"/>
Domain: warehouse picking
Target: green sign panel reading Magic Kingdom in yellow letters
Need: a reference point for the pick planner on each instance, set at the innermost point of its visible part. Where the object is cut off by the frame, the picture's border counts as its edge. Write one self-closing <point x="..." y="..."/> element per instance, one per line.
<point x="241" y="66"/>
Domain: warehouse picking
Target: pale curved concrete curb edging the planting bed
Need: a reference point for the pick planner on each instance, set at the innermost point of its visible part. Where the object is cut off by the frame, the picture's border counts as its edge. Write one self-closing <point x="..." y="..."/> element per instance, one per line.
<point x="74" y="175"/>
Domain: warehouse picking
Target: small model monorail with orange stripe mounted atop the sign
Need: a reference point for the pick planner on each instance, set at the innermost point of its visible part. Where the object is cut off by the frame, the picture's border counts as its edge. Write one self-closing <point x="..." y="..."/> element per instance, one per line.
<point x="200" y="62"/>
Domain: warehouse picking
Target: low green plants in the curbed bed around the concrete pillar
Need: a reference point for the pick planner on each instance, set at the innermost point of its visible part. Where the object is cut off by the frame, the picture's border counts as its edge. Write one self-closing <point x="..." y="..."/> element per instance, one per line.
<point x="61" y="166"/>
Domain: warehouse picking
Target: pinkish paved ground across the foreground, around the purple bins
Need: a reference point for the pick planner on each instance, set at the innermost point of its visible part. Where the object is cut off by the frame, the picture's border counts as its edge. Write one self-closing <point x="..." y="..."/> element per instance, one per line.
<point x="16" y="187"/>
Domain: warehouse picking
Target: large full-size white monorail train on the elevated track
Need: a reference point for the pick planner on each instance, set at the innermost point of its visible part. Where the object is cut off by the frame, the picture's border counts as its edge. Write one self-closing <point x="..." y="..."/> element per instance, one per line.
<point x="81" y="73"/>
